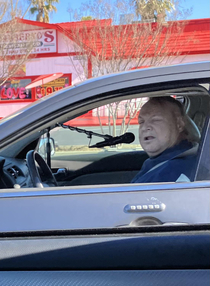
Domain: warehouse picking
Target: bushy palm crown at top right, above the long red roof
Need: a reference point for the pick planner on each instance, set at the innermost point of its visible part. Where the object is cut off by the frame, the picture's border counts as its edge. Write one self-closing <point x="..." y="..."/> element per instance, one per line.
<point x="153" y="9"/>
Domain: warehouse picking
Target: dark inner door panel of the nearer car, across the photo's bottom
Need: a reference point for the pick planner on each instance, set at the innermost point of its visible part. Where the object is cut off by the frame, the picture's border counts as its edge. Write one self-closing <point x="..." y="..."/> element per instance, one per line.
<point x="144" y="256"/>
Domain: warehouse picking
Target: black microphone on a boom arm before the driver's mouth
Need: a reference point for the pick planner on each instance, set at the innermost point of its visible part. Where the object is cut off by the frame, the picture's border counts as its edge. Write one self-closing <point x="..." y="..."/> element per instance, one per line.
<point x="125" y="138"/>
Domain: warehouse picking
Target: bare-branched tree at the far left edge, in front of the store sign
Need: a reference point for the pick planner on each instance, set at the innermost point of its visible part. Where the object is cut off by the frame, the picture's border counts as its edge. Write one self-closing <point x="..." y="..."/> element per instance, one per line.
<point x="10" y="33"/>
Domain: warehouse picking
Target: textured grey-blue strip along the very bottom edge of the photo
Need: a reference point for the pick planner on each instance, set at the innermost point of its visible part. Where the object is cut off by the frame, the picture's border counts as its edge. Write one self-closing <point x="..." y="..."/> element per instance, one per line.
<point x="102" y="278"/>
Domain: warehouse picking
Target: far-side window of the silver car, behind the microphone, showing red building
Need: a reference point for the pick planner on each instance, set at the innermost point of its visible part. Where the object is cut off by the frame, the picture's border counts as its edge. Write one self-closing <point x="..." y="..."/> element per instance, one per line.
<point x="80" y="138"/>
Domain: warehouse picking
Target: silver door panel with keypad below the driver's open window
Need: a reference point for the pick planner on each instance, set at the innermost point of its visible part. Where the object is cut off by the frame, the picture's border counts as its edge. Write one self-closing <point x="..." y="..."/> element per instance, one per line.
<point x="103" y="206"/>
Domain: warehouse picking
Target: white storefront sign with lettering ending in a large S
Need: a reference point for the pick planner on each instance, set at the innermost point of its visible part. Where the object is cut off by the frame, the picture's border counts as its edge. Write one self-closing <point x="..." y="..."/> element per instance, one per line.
<point x="40" y="41"/>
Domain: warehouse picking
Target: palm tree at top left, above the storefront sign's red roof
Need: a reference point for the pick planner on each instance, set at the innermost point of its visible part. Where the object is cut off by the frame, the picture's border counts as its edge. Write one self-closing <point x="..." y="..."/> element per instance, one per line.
<point x="43" y="8"/>
